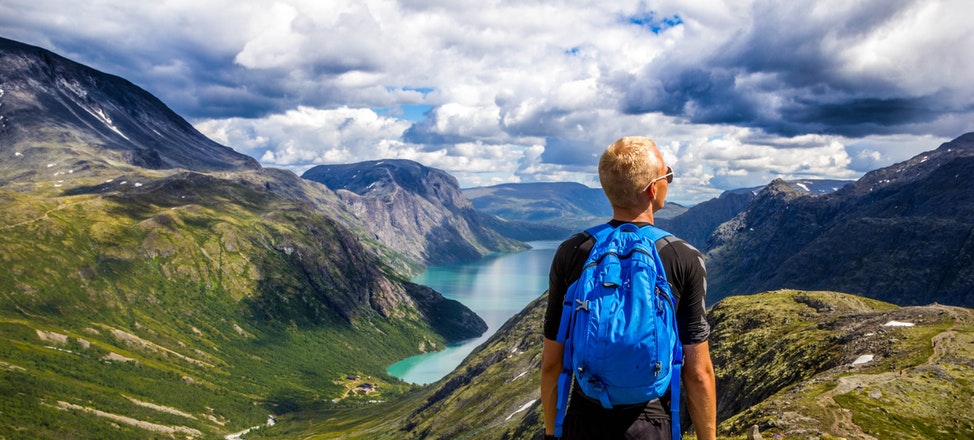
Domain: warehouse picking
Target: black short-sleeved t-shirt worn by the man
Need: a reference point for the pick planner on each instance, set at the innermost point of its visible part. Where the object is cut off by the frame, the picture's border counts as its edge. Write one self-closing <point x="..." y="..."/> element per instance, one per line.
<point x="685" y="272"/>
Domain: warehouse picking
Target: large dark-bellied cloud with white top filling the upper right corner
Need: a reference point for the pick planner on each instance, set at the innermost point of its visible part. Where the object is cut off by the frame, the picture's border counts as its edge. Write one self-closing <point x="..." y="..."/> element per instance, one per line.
<point x="828" y="67"/>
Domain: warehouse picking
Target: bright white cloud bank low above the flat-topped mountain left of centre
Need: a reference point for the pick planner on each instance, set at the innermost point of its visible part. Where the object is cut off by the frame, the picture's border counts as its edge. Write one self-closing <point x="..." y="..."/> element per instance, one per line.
<point x="301" y="138"/>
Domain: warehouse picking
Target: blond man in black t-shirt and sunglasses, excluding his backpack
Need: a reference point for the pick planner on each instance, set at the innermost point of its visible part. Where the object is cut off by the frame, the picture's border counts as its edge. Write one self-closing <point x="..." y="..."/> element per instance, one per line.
<point x="635" y="180"/>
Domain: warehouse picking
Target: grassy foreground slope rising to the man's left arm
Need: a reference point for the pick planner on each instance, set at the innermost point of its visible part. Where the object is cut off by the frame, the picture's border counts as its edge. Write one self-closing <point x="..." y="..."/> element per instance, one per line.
<point x="493" y="394"/>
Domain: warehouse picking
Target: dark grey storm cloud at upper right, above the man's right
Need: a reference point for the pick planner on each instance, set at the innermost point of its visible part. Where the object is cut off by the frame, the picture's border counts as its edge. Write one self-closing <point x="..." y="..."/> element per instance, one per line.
<point x="787" y="74"/>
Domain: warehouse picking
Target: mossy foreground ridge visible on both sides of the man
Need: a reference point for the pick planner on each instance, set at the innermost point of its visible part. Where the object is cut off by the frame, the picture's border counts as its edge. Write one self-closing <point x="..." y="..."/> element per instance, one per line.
<point x="791" y="363"/>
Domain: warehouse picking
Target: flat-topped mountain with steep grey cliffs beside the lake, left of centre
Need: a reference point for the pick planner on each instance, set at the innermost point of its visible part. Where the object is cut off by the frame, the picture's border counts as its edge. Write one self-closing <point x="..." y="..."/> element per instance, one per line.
<point x="416" y="210"/>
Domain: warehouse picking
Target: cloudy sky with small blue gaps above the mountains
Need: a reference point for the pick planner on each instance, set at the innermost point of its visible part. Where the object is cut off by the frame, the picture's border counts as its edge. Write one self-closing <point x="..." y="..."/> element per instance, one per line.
<point x="735" y="93"/>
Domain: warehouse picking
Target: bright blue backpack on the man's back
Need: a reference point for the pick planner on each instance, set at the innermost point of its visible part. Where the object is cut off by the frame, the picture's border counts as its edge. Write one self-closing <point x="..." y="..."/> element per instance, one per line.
<point x="619" y="325"/>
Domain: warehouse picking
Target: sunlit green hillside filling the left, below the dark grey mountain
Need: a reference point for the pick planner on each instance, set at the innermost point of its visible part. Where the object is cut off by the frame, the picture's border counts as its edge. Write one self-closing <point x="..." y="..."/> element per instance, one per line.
<point x="193" y="305"/>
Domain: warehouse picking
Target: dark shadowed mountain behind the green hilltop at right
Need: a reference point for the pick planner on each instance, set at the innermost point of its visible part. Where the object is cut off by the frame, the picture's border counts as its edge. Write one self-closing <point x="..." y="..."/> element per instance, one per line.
<point x="902" y="234"/>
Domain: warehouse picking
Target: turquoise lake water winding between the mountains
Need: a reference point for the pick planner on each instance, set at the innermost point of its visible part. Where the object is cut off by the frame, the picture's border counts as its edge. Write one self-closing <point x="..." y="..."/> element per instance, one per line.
<point x="495" y="287"/>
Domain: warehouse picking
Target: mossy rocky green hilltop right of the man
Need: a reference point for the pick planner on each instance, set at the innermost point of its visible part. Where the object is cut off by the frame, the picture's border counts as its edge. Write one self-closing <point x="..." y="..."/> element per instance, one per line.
<point x="915" y="384"/>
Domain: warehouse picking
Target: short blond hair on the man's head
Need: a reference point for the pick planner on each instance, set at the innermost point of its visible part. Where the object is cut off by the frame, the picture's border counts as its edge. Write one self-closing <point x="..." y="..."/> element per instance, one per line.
<point x="626" y="167"/>
